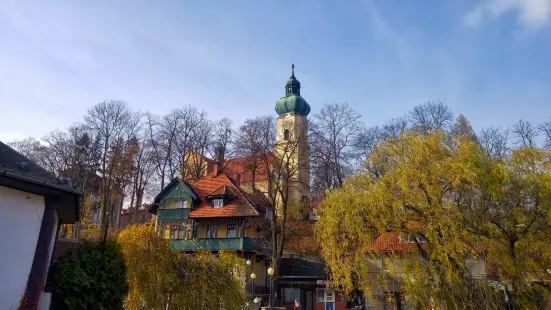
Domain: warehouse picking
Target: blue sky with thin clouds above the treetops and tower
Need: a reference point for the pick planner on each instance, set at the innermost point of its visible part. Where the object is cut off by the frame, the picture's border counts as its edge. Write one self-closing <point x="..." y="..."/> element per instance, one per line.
<point x="487" y="59"/>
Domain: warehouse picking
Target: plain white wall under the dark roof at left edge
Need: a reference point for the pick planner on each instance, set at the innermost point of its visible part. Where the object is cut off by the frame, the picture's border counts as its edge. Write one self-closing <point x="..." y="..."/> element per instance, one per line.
<point x="20" y="219"/>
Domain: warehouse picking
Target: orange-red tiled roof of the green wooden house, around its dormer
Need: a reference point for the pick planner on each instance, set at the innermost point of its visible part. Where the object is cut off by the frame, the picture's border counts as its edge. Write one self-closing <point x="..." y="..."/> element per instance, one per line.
<point x="238" y="206"/>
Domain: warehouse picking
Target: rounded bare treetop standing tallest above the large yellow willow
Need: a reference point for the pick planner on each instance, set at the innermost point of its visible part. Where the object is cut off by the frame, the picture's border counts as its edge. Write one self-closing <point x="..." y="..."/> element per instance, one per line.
<point x="431" y="115"/>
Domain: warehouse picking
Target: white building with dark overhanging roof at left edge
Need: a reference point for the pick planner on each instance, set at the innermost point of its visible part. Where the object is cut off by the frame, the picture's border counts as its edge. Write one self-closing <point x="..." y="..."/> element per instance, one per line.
<point x="33" y="205"/>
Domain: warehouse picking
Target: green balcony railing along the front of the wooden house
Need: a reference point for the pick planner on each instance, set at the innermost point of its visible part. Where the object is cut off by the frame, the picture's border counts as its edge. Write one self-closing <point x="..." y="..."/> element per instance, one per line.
<point x="218" y="244"/>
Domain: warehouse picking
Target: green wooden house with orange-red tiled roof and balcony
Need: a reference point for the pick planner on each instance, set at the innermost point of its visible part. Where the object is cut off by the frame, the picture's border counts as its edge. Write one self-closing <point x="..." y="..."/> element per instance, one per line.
<point x="213" y="214"/>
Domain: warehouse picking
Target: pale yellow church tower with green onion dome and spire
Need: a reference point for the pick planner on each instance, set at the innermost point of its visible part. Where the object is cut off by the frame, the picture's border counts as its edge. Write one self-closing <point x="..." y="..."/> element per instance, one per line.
<point x="292" y="140"/>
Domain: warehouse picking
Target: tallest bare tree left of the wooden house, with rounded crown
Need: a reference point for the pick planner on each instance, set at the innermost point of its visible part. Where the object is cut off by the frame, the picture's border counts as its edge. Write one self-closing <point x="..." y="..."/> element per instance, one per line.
<point x="109" y="121"/>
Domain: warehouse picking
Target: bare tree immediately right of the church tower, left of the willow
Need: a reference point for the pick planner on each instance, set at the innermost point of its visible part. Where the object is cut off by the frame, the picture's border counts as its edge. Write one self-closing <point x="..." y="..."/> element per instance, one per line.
<point x="333" y="132"/>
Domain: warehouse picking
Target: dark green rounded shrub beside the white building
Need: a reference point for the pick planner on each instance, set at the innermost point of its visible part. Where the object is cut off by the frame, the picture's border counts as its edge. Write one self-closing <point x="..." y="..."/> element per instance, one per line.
<point x="92" y="277"/>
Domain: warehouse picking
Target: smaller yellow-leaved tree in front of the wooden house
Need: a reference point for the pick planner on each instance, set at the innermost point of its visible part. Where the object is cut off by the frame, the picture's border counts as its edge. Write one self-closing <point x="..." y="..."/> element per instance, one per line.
<point x="160" y="277"/>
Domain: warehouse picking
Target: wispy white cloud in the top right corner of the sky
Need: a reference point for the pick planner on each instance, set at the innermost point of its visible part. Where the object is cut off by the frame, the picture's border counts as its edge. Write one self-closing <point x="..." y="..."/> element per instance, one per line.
<point x="532" y="15"/>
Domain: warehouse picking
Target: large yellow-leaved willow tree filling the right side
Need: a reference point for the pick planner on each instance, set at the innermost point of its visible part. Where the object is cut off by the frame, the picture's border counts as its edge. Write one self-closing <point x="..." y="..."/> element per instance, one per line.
<point x="465" y="225"/>
